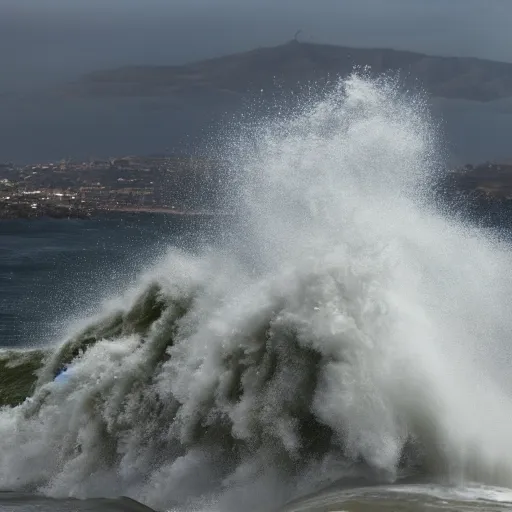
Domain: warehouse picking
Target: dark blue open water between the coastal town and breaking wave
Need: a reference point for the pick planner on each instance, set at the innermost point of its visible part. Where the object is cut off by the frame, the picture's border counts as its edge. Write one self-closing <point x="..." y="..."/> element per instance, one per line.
<point x="52" y="270"/>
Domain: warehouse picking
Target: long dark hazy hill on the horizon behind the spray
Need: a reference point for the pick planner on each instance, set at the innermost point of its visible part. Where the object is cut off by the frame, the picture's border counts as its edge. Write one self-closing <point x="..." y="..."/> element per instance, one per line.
<point x="296" y="62"/>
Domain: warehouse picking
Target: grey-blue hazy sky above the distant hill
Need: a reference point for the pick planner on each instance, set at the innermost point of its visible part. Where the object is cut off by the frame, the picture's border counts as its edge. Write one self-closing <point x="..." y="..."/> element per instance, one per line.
<point x="54" y="40"/>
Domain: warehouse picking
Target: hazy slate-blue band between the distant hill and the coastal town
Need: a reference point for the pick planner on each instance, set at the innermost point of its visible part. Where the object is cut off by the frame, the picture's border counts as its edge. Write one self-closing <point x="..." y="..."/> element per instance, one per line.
<point x="79" y="128"/>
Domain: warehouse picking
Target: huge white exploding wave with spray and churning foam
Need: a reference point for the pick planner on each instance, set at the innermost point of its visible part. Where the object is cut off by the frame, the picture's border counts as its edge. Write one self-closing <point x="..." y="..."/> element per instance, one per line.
<point x="349" y="327"/>
